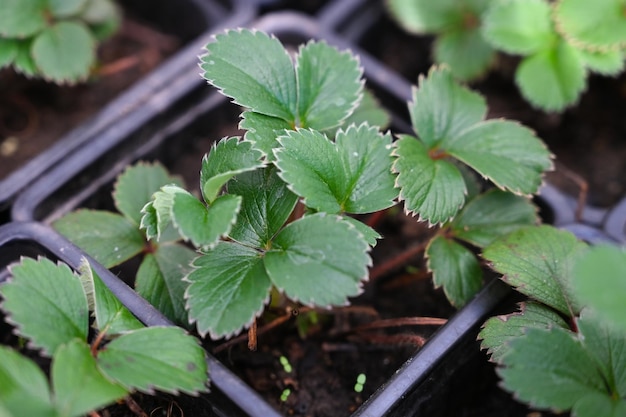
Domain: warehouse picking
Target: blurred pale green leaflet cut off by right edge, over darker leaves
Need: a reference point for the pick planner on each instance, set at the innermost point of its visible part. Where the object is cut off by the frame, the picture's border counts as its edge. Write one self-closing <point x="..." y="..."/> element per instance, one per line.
<point x="599" y="281"/>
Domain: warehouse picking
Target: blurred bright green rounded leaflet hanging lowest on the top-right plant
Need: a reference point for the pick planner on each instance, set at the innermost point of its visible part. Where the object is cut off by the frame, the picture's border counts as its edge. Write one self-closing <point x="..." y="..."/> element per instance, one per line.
<point x="553" y="78"/>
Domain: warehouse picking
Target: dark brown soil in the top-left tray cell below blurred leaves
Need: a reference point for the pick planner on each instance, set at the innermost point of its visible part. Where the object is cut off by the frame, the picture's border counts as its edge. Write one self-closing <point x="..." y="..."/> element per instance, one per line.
<point x="34" y="114"/>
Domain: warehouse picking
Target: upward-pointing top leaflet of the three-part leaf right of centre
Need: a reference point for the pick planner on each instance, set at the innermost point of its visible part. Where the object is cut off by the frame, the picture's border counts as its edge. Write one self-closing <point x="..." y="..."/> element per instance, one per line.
<point x="442" y="109"/>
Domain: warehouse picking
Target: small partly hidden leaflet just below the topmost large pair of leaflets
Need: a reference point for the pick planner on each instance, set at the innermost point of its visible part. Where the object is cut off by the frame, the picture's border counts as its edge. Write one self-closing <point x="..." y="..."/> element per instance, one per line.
<point x="263" y="130"/>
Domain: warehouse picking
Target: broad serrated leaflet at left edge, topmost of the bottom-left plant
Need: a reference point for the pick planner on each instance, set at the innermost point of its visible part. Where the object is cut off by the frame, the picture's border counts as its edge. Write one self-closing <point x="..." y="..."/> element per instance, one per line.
<point x="41" y="292"/>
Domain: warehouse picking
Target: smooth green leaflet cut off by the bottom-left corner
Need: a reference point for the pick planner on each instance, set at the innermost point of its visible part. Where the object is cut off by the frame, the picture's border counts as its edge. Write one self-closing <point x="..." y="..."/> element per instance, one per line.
<point x="25" y="390"/>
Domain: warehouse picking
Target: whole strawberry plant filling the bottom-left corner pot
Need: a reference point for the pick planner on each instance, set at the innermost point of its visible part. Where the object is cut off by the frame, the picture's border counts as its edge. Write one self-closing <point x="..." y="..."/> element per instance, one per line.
<point x="49" y="306"/>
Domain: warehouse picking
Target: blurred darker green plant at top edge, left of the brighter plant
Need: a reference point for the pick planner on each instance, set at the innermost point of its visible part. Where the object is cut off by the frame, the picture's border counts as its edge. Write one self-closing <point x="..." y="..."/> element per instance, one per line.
<point x="456" y="25"/>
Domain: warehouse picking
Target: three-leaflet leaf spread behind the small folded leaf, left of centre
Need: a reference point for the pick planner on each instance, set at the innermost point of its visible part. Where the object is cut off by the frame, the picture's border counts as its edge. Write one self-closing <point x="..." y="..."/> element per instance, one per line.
<point x="113" y="238"/>
